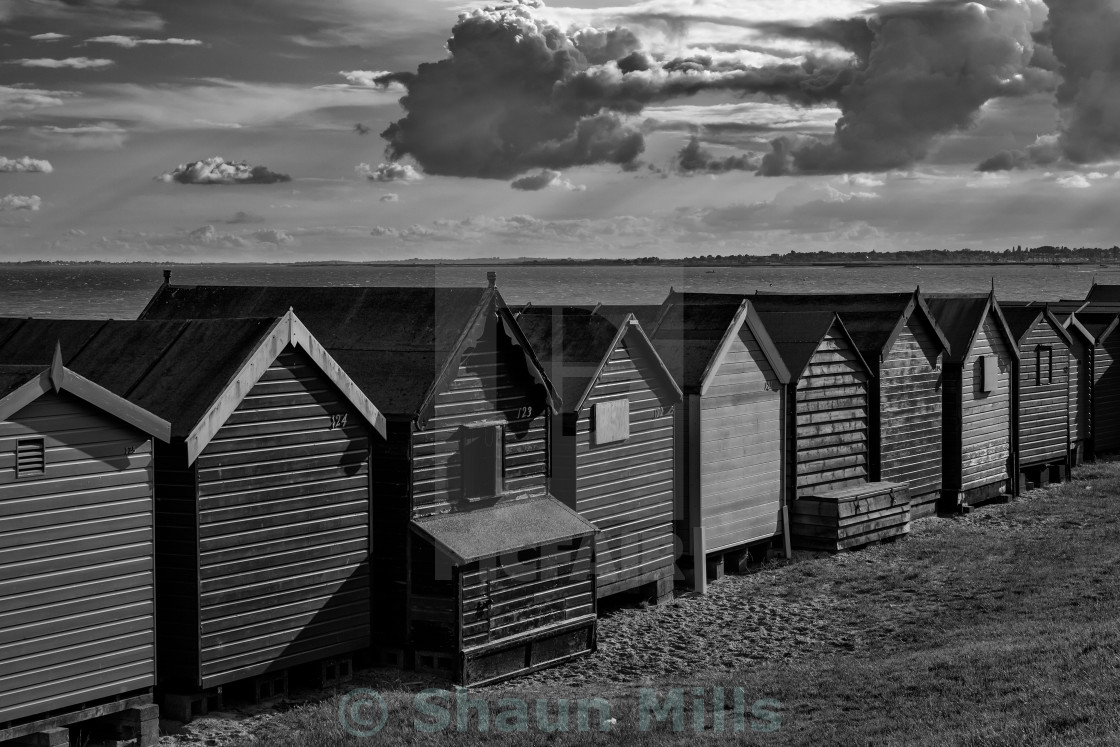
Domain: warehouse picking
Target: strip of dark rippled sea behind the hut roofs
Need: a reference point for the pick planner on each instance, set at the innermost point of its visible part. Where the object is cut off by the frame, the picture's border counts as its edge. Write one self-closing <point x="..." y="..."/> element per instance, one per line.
<point x="120" y="292"/>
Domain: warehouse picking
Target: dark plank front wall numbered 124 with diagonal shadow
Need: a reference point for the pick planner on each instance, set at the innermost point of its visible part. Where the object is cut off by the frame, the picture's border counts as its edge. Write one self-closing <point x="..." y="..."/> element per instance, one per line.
<point x="284" y="528"/>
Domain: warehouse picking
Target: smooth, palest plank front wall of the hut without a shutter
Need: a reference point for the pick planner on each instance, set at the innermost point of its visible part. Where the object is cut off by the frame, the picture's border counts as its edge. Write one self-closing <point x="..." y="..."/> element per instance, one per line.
<point x="741" y="450"/>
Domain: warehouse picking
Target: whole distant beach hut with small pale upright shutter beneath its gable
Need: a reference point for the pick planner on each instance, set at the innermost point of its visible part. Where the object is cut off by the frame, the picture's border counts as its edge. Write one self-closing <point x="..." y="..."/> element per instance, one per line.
<point x="978" y="456"/>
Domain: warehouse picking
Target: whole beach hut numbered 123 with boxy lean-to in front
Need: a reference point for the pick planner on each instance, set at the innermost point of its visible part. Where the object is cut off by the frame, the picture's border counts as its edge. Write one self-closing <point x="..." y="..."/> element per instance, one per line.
<point x="481" y="574"/>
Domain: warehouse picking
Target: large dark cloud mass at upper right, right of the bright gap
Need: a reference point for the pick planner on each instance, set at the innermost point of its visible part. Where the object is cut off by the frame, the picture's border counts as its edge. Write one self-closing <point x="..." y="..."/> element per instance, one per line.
<point x="922" y="71"/>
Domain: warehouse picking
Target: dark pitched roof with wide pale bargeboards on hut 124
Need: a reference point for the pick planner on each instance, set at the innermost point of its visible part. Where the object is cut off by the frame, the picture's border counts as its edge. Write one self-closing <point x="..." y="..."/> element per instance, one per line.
<point x="190" y="373"/>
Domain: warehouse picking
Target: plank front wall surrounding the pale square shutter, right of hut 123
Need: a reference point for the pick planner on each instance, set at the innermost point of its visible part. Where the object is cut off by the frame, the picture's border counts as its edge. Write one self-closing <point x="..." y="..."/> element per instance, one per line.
<point x="626" y="489"/>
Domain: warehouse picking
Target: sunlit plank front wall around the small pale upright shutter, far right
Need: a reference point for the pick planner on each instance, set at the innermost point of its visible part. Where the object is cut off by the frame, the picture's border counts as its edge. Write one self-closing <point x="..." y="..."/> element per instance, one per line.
<point x="986" y="418"/>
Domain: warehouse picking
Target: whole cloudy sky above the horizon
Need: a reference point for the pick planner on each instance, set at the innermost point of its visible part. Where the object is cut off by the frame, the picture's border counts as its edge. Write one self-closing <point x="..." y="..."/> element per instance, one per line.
<point x="302" y="130"/>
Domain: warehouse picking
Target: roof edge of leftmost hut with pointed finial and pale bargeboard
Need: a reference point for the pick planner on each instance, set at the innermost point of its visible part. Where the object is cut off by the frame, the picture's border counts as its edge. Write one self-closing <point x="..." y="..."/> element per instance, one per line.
<point x="23" y="385"/>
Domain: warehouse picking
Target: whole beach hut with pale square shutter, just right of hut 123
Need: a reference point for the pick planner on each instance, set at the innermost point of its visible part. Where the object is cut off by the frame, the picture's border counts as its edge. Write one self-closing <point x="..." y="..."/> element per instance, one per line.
<point x="612" y="446"/>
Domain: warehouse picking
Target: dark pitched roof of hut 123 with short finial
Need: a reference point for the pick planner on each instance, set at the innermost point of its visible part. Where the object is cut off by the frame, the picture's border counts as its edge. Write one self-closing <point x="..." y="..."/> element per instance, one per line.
<point x="400" y="346"/>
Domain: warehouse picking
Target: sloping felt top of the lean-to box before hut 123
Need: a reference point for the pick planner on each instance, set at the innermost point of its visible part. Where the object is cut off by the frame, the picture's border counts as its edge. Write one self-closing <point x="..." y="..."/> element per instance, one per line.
<point x="506" y="527"/>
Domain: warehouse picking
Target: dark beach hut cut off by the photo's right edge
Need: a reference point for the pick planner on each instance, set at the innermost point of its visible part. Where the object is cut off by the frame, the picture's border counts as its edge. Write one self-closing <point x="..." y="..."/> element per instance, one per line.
<point x="1102" y="326"/>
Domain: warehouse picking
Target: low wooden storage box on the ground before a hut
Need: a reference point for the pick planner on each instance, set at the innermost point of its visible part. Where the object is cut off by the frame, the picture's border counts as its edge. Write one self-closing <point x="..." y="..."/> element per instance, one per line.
<point x="848" y="518"/>
